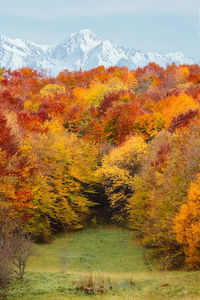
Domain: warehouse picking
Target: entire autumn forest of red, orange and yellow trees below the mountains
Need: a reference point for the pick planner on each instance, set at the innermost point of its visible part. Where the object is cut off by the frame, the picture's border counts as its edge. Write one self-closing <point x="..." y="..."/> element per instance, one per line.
<point x="134" y="133"/>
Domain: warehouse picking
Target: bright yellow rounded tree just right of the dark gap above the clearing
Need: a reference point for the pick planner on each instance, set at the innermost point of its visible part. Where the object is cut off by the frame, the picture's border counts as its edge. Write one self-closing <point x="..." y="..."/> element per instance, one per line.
<point x="117" y="173"/>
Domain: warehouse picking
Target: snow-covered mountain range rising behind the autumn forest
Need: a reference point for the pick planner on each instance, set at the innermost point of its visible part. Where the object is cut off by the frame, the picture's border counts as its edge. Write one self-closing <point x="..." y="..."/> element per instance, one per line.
<point x="83" y="50"/>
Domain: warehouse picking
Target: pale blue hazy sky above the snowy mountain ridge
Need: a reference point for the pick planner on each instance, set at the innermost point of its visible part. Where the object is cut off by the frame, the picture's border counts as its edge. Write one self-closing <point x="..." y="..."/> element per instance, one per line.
<point x="148" y="25"/>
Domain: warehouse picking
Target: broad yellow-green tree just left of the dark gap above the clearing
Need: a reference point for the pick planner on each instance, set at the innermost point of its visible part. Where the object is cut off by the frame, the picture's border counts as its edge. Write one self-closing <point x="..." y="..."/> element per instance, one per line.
<point x="60" y="195"/>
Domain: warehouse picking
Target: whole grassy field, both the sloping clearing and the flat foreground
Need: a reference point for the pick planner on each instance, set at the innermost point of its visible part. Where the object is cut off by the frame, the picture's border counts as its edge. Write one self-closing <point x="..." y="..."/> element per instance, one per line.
<point x="105" y="252"/>
